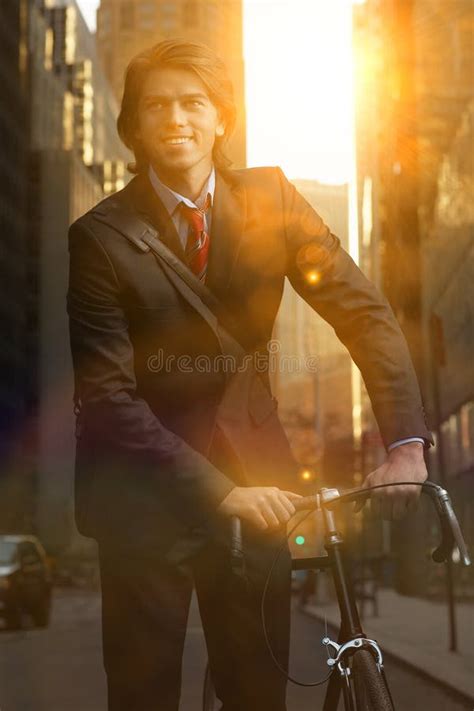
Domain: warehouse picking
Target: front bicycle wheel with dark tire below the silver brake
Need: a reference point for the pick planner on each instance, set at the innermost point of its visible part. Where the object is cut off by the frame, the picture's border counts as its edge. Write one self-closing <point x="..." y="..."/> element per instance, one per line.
<point x="369" y="685"/>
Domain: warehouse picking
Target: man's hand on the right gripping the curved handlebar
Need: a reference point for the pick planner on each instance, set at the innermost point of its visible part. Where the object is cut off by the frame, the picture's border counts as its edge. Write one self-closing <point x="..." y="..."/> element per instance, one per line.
<point x="404" y="463"/>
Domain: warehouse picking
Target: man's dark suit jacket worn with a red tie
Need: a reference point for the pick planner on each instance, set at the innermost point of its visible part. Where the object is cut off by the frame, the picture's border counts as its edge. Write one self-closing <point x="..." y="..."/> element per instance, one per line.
<point x="144" y="470"/>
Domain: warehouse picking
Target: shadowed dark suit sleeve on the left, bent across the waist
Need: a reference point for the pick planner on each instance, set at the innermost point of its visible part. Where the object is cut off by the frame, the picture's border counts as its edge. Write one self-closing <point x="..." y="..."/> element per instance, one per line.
<point x="103" y="361"/>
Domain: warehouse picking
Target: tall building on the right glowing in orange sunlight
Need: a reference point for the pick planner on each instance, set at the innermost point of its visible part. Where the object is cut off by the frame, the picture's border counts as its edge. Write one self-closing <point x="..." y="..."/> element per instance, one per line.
<point x="415" y="85"/>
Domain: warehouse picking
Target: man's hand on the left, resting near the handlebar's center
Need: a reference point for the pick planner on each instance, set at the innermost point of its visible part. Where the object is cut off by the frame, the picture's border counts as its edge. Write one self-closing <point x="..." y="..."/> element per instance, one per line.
<point x="267" y="507"/>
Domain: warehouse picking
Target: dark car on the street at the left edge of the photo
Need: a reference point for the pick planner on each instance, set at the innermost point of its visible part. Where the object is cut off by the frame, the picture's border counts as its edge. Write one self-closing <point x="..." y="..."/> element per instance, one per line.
<point x="25" y="581"/>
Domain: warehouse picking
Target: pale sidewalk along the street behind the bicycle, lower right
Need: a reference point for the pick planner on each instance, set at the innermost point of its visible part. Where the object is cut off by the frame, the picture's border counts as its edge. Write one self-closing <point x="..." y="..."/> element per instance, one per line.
<point x="416" y="631"/>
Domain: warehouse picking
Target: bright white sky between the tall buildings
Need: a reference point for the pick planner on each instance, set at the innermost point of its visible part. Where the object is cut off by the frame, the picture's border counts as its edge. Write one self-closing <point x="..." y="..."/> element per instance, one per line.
<point x="298" y="85"/>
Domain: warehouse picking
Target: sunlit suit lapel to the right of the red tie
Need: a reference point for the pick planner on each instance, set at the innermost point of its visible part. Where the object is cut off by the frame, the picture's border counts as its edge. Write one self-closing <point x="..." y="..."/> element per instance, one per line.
<point x="228" y="218"/>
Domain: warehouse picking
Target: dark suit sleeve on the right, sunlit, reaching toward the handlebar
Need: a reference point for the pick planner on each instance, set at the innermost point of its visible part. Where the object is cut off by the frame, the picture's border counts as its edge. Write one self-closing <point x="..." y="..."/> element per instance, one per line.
<point x="328" y="279"/>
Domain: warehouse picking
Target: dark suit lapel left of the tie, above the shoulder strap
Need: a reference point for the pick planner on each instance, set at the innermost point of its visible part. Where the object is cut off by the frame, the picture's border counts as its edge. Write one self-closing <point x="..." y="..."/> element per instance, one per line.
<point x="148" y="204"/>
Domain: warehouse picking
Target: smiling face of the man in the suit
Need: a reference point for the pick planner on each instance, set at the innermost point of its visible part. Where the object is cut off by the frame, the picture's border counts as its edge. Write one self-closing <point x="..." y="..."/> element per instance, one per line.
<point x="176" y="121"/>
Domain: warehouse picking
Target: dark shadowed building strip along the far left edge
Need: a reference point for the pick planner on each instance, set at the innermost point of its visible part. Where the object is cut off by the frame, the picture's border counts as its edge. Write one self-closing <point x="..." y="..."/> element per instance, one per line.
<point x="15" y="285"/>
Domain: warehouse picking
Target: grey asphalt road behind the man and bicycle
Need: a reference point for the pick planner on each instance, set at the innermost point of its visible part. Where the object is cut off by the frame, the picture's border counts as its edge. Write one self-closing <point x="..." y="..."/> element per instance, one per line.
<point x="60" y="669"/>
